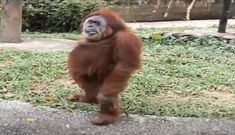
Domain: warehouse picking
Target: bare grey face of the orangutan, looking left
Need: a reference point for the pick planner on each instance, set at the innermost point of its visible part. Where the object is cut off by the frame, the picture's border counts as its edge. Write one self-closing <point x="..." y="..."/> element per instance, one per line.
<point x="93" y="27"/>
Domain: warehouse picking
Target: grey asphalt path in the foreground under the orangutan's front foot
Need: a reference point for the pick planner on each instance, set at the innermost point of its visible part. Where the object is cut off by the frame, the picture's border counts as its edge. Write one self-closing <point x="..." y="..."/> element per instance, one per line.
<point x="17" y="118"/>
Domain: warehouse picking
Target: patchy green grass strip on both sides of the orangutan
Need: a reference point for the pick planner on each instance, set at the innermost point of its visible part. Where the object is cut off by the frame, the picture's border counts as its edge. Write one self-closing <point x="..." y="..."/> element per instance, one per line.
<point x="179" y="78"/>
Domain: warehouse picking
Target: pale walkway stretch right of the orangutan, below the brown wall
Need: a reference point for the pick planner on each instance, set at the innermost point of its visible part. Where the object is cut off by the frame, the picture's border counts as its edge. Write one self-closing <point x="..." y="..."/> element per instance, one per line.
<point x="195" y="27"/>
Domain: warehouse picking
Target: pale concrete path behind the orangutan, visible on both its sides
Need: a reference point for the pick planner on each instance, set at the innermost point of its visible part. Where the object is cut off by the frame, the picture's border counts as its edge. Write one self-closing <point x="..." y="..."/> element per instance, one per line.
<point x="204" y="27"/>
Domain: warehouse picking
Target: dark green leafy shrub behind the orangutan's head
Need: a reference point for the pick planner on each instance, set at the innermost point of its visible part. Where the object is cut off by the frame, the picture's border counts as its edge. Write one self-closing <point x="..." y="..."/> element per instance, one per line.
<point x="57" y="15"/>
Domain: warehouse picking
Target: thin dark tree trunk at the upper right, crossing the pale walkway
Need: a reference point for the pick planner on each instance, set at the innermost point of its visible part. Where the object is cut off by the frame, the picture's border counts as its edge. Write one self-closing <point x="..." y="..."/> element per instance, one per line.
<point x="224" y="16"/>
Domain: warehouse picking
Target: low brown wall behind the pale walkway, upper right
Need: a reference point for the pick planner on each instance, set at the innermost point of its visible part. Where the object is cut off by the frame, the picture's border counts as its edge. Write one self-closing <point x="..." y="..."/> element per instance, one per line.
<point x="154" y="10"/>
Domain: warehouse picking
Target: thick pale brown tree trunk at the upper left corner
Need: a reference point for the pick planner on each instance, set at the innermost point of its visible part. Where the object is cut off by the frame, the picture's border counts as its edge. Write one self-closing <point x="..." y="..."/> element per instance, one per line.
<point x="11" y="21"/>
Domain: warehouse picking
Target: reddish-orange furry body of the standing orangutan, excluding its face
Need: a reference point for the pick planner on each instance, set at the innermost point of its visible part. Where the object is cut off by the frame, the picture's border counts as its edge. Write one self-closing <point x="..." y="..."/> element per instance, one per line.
<point x="102" y="68"/>
